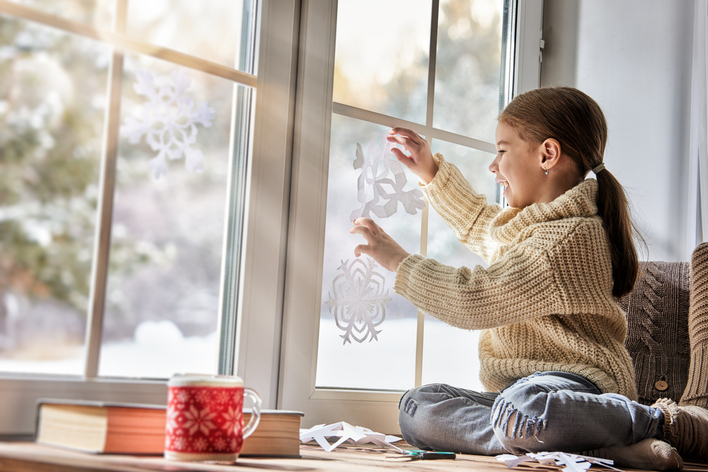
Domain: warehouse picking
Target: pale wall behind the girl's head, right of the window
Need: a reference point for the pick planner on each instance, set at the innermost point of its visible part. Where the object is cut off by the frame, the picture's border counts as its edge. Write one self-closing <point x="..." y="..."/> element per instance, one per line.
<point x="634" y="58"/>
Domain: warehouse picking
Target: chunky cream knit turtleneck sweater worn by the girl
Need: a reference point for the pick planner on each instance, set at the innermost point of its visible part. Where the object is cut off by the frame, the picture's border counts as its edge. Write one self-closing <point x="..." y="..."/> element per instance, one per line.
<point x="545" y="301"/>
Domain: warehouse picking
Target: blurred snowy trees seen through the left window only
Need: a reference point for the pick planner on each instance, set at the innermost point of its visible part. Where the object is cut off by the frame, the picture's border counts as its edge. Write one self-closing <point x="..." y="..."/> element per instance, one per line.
<point x="165" y="258"/>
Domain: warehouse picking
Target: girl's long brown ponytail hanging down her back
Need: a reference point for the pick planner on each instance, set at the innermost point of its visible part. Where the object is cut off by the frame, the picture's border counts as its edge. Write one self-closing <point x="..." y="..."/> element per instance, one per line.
<point x="613" y="208"/>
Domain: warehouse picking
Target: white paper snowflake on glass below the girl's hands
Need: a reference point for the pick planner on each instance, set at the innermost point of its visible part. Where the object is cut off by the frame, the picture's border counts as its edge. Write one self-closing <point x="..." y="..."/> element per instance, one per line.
<point x="359" y="300"/>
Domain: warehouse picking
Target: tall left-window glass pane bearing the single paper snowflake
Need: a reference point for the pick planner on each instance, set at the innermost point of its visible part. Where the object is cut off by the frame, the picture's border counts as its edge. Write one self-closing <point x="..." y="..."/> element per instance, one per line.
<point x="168" y="222"/>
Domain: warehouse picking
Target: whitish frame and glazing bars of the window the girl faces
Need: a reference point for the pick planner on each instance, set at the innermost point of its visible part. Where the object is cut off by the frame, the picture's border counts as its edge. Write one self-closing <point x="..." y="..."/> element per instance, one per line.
<point x="297" y="389"/>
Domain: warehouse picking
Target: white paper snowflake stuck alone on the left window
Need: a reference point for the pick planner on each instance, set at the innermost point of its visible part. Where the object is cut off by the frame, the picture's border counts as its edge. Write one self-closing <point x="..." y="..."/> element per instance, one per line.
<point x="169" y="121"/>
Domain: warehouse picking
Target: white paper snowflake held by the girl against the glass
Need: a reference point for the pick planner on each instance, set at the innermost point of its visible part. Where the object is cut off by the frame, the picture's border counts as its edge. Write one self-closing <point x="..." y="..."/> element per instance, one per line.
<point x="381" y="182"/>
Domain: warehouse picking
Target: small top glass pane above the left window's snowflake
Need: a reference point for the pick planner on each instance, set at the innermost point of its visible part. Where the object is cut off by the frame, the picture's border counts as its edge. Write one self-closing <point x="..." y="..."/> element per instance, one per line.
<point x="209" y="30"/>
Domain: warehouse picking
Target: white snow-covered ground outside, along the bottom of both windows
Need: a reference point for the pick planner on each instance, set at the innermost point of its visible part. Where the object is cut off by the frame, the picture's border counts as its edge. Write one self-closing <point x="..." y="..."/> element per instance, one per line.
<point x="158" y="350"/>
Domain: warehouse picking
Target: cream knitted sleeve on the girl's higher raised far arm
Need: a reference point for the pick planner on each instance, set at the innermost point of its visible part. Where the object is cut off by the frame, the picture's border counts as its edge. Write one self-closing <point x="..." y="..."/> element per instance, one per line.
<point x="465" y="211"/>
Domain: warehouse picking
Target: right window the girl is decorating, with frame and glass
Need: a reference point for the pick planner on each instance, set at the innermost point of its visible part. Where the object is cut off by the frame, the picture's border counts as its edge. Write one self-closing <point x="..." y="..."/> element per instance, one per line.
<point x="442" y="68"/>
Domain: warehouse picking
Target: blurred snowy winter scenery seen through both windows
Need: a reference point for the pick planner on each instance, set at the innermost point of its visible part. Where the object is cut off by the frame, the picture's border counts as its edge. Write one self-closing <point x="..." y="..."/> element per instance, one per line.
<point x="167" y="234"/>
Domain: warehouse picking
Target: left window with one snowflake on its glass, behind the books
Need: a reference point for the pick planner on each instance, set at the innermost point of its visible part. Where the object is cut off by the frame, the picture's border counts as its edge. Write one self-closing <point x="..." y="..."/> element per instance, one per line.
<point x="127" y="128"/>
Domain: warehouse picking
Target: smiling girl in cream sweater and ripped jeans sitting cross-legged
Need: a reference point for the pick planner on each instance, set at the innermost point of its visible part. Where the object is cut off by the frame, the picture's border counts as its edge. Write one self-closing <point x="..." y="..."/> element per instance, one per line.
<point x="552" y="351"/>
